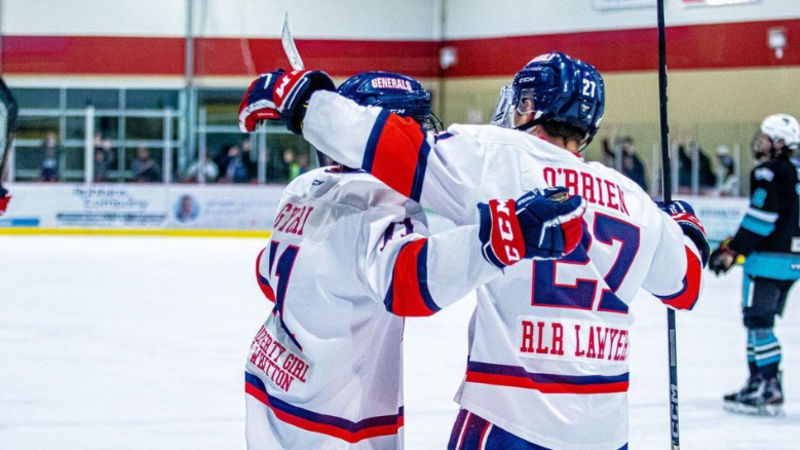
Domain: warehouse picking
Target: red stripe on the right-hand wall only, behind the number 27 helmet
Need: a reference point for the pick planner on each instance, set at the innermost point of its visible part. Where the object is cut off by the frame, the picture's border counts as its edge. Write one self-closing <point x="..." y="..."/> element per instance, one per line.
<point x="730" y="45"/>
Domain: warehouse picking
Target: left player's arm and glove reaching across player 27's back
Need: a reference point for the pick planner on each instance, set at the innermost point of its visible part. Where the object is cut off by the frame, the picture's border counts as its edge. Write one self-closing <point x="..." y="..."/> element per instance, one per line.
<point x="417" y="275"/>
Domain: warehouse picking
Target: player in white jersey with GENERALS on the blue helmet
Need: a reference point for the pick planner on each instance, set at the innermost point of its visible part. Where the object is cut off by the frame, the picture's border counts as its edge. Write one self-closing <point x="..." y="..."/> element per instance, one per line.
<point x="348" y="260"/>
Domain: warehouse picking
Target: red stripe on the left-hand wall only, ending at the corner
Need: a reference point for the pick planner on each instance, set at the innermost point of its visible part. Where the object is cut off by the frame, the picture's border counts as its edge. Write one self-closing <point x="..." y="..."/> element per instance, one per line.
<point x="213" y="56"/>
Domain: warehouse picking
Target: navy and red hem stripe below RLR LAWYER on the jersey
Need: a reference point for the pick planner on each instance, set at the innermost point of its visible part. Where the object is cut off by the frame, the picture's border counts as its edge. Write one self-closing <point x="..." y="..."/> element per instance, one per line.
<point x="513" y="376"/>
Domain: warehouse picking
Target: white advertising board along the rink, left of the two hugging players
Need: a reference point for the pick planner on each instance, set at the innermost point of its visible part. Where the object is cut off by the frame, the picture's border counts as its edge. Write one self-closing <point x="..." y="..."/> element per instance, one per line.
<point x="122" y="206"/>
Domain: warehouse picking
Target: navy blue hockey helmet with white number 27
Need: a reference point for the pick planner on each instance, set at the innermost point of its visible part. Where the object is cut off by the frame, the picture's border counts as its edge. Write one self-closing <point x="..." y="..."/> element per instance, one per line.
<point x="554" y="87"/>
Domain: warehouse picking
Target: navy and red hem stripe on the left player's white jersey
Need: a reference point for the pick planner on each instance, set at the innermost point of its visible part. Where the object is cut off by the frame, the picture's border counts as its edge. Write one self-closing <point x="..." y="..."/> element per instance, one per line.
<point x="337" y="427"/>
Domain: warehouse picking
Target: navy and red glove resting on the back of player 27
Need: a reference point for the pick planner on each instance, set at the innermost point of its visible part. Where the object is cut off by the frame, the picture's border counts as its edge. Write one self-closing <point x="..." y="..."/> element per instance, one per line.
<point x="538" y="225"/>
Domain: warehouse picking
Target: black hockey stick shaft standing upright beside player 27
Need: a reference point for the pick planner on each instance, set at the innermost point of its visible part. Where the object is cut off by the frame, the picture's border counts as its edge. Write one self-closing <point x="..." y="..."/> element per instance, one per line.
<point x="666" y="167"/>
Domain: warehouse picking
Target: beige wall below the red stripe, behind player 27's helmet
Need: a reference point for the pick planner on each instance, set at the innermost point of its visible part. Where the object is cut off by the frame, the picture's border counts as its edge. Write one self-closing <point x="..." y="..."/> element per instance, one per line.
<point x="712" y="107"/>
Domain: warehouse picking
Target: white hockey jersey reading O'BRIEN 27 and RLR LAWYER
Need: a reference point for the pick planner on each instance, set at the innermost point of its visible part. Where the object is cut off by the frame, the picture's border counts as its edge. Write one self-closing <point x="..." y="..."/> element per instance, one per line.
<point x="549" y="341"/>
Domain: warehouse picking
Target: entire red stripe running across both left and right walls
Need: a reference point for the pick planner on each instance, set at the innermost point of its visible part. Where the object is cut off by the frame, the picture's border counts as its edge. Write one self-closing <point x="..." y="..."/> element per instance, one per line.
<point x="730" y="45"/>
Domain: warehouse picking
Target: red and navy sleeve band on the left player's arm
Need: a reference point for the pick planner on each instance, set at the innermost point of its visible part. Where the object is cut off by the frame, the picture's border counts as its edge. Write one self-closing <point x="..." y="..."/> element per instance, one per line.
<point x="408" y="294"/>
